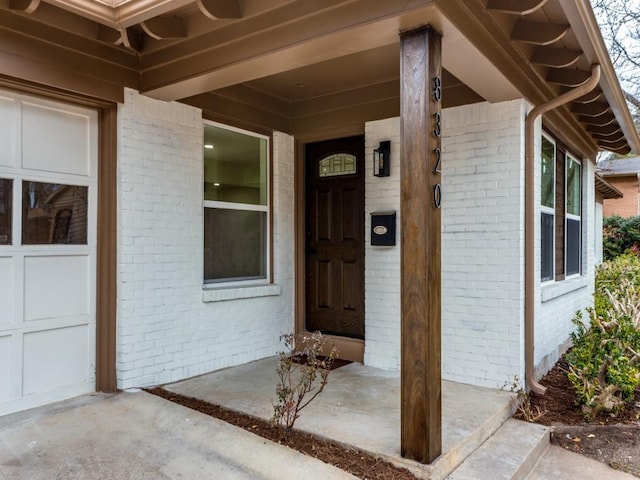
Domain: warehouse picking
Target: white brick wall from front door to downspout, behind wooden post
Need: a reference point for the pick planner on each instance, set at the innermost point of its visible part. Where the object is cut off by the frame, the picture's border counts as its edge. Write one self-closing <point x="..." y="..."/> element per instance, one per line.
<point x="482" y="245"/>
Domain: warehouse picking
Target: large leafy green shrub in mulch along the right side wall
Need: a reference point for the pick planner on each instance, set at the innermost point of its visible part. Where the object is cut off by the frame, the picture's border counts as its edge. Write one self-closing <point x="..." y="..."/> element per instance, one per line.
<point x="604" y="364"/>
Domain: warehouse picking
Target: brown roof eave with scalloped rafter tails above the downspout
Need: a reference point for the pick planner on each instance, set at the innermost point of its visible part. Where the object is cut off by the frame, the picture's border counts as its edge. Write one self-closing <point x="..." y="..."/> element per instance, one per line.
<point x="549" y="46"/>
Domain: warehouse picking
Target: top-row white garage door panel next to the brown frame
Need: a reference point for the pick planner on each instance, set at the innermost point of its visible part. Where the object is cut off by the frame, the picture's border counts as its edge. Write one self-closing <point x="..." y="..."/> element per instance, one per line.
<point x="49" y="125"/>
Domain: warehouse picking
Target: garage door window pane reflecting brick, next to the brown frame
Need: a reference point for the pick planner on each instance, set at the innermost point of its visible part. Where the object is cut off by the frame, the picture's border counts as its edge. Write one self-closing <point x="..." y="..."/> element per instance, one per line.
<point x="53" y="214"/>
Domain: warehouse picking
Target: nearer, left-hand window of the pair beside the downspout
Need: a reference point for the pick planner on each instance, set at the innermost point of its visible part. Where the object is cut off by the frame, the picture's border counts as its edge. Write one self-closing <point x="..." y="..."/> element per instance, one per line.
<point x="547" y="208"/>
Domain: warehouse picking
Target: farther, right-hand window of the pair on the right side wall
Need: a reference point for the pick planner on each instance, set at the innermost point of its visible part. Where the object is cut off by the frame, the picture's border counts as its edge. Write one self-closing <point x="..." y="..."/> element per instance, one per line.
<point x="573" y="237"/>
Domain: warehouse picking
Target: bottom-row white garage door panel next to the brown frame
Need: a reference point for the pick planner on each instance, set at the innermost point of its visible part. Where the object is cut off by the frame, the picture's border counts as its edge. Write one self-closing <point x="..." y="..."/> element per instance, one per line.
<point x="66" y="348"/>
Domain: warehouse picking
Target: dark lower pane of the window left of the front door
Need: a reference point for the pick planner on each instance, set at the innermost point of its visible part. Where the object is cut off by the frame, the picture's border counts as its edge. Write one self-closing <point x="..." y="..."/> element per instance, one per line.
<point x="234" y="244"/>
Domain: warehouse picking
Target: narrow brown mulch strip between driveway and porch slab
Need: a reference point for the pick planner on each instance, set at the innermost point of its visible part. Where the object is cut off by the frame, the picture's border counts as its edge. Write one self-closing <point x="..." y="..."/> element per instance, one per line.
<point x="356" y="462"/>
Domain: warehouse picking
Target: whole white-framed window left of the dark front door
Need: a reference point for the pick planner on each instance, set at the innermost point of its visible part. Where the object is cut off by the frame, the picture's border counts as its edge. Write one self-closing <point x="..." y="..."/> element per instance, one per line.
<point x="236" y="205"/>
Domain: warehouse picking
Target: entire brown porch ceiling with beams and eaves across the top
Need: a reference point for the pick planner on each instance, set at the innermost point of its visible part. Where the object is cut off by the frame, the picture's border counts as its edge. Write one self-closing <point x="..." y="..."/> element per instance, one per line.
<point x="295" y="64"/>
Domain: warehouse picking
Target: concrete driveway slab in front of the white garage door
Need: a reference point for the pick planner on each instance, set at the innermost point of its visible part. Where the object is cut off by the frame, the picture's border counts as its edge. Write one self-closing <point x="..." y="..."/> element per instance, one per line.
<point x="136" y="436"/>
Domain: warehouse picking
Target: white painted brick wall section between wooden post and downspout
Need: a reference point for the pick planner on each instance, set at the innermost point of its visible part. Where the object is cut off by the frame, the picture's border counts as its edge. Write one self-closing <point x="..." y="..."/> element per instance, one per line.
<point x="483" y="243"/>
